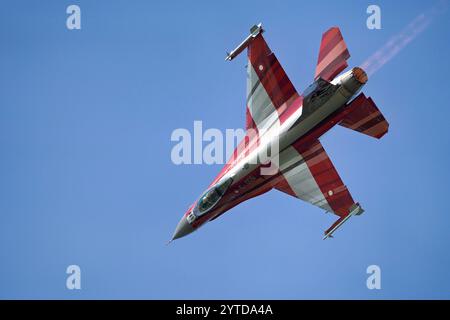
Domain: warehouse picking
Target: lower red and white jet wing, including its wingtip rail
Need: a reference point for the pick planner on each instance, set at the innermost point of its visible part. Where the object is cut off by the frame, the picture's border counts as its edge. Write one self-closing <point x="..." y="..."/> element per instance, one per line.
<point x="309" y="175"/>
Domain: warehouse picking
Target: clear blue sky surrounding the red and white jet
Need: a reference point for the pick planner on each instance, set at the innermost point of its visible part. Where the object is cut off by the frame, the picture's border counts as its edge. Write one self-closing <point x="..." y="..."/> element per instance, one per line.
<point x="86" y="176"/>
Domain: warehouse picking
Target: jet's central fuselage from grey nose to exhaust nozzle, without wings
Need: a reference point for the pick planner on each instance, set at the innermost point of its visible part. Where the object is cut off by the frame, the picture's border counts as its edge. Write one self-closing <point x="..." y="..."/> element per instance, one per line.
<point x="319" y="111"/>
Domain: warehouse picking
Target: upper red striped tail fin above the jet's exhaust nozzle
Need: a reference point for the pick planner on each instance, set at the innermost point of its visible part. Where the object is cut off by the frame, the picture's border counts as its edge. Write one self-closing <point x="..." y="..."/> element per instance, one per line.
<point x="333" y="55"/>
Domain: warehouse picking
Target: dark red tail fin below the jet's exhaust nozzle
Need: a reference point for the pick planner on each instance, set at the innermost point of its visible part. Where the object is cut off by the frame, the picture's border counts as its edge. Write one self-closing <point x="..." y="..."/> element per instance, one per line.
<point x="365" y="117"/>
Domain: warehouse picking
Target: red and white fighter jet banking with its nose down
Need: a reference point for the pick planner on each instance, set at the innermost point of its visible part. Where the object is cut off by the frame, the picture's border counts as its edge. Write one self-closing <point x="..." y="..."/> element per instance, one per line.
<point x="279" y="116"/>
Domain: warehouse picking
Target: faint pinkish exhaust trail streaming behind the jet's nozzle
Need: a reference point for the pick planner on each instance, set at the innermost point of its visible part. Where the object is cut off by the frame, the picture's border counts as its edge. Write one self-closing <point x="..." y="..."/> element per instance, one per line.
<point x="399" y="41"/>
